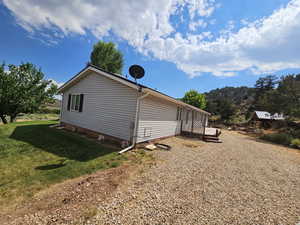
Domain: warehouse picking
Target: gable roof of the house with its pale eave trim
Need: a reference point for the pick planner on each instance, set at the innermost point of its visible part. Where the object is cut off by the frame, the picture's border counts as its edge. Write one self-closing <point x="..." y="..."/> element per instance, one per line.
<point x="91" y="68"/>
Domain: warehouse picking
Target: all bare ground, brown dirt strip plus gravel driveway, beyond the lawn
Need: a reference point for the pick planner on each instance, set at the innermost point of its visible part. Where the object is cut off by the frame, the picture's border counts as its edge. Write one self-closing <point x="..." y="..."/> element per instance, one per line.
<point x="241" y="181"/>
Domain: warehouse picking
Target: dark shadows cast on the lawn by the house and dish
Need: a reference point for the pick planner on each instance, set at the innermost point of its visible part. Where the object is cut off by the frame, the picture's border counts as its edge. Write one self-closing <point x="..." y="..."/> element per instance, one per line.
<point x="58" y="142"/>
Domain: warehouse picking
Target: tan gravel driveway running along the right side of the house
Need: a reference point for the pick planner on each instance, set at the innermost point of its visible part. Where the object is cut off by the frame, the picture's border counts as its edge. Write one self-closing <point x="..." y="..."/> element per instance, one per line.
<point x="241" y="181"/>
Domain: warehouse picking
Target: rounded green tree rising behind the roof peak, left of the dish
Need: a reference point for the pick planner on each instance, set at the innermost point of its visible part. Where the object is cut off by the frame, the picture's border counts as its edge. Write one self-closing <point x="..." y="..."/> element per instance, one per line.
<point x="106" y="56"/>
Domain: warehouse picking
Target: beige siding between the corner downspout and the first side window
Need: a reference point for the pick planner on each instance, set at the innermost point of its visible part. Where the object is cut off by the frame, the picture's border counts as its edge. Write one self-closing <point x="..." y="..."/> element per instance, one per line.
<point x="157" y="119"/>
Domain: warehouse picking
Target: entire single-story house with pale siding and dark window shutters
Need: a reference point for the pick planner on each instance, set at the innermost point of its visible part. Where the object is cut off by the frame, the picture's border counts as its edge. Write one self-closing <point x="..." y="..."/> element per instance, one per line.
<point x="115" y="107"/>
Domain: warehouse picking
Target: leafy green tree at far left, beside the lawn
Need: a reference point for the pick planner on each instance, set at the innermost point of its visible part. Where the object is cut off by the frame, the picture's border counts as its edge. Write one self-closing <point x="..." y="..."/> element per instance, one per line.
<point x="23" y="90"/>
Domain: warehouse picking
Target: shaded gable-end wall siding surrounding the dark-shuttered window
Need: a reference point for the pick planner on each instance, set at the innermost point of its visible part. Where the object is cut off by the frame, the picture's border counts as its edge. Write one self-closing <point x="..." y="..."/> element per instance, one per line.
<point x="108" y="106"/>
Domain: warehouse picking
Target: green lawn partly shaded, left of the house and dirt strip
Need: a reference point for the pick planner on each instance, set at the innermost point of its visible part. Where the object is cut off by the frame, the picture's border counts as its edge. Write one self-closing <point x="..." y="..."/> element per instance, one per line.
<point x="34" y="156"/>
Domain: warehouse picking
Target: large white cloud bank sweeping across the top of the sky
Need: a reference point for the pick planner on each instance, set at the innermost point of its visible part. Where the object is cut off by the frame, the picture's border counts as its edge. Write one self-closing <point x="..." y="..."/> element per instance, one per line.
<point x="265" y="45"/>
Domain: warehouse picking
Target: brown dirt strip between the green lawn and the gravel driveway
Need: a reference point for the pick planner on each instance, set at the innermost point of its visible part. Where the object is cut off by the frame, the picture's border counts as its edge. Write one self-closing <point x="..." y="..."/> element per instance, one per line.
<point x="75" y="199"/>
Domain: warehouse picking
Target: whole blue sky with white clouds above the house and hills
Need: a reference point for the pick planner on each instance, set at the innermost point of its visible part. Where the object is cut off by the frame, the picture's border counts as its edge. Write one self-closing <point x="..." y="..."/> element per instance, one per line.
<point x="182" y="44"/>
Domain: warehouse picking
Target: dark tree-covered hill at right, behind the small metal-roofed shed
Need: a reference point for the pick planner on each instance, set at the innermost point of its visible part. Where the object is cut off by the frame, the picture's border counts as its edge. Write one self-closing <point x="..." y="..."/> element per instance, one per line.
<point x="270" y="93"/>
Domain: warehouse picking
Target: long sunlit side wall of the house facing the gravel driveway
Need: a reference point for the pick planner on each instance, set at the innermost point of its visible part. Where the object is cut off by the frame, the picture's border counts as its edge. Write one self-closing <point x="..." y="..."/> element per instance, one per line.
<point x="158" y="120"/>
